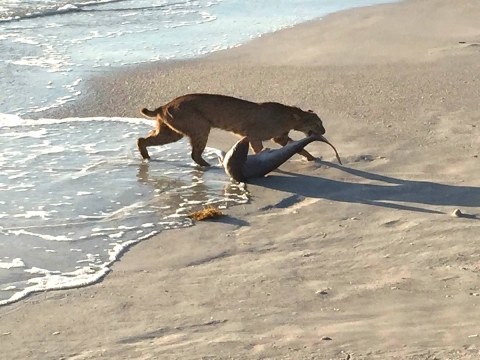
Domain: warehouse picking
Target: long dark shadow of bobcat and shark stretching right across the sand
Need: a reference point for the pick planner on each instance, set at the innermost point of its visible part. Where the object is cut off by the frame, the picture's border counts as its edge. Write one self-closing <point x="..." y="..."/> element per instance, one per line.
<point x="387" y="194"/>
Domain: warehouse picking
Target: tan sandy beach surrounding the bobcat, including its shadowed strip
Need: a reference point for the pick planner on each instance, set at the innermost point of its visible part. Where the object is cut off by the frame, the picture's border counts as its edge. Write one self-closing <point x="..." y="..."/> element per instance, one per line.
<point x="367" y="255"/>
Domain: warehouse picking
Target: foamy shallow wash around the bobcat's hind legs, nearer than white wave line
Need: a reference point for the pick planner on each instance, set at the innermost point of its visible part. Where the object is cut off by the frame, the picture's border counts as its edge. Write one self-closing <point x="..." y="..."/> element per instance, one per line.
<point x="71" y="199"/>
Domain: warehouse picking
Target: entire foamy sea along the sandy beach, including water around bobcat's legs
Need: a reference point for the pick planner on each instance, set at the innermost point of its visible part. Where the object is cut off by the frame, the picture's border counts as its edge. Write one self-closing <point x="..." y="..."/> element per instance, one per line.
<point x="70" y="202"/>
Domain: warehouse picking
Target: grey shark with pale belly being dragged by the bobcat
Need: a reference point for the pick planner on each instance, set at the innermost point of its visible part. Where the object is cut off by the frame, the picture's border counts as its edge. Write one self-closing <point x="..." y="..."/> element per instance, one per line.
<point x="241" y="167"/>
